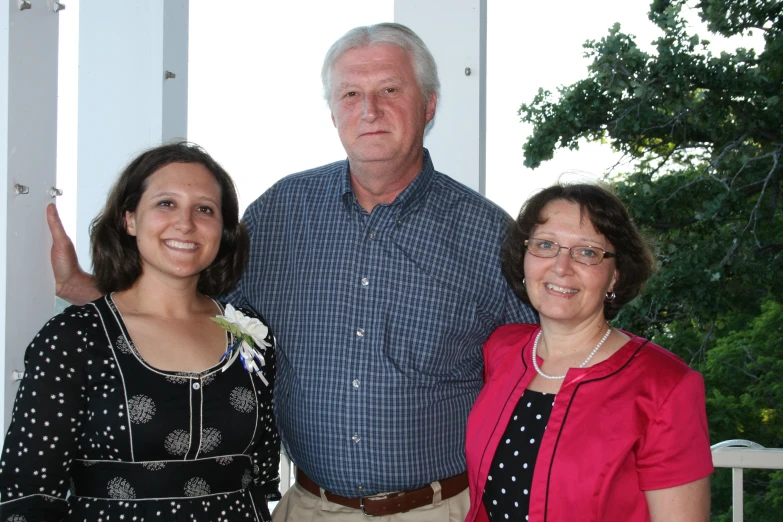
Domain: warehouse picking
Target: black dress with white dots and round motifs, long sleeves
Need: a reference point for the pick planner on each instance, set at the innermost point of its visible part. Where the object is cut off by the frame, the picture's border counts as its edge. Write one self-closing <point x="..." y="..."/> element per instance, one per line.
<point x="130" y="442"/>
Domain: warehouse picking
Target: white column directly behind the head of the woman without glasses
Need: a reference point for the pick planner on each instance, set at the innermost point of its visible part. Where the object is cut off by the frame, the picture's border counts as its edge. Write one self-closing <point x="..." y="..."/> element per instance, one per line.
<point x="133" y="81"/>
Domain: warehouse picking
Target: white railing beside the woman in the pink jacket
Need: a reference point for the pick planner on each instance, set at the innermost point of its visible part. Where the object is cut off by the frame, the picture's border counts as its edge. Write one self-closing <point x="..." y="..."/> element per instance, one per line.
<point x="740" y="455"/>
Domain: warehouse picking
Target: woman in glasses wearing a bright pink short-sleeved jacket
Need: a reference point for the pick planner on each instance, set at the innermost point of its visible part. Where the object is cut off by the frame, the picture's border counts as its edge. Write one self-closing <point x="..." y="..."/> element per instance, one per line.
<point x="578" y="420"/>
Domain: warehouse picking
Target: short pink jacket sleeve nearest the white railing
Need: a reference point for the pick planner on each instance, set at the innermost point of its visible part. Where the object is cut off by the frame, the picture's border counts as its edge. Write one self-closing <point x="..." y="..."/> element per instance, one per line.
<point x="676" y="448"/>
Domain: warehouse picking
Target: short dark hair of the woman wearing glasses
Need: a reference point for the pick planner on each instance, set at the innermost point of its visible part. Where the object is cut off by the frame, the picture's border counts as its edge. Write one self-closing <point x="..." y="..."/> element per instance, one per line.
<point x="635" y="260"/>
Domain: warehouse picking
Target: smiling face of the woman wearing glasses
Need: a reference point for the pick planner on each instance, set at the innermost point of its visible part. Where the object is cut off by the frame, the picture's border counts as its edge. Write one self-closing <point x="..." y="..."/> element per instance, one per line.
<point x="560" y="288"/>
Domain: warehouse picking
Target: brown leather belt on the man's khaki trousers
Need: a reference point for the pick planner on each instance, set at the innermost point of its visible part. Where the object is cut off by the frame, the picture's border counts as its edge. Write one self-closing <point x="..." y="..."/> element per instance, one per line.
<point x="391" y="503"/>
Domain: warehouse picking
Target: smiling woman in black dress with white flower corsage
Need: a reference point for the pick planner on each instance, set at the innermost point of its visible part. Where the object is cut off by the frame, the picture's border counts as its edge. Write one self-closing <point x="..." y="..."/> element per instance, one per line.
<point x="127" y="403"/>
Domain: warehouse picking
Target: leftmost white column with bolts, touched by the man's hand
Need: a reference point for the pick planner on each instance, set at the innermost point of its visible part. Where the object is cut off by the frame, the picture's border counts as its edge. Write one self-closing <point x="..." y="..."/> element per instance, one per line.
<point x="28" y="159"/>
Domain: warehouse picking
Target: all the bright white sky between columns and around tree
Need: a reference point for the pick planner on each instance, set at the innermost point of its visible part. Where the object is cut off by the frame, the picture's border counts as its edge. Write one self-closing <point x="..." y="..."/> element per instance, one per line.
<point x="255" y="99"/>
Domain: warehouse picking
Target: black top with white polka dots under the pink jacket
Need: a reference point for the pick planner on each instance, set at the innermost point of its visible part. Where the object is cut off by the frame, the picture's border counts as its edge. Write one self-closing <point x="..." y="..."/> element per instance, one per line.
<point x="507" y="492"/>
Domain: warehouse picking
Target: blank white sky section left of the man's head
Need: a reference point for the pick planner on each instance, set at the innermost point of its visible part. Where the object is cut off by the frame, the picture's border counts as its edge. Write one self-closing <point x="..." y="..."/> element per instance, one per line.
<point x="255" y="96"/>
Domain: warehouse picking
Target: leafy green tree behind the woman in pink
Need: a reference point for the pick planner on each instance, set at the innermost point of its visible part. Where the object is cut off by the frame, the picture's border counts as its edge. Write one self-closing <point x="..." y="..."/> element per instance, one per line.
<point x="706" y="135"/>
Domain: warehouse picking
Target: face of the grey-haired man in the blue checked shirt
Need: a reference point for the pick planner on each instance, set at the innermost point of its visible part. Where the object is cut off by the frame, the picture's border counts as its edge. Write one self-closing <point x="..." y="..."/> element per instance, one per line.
<point x="377" y="105"/>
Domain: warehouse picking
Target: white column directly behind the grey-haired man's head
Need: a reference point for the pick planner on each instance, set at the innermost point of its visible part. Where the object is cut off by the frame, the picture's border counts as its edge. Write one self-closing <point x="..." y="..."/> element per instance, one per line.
<point x="455" y="32"/>
